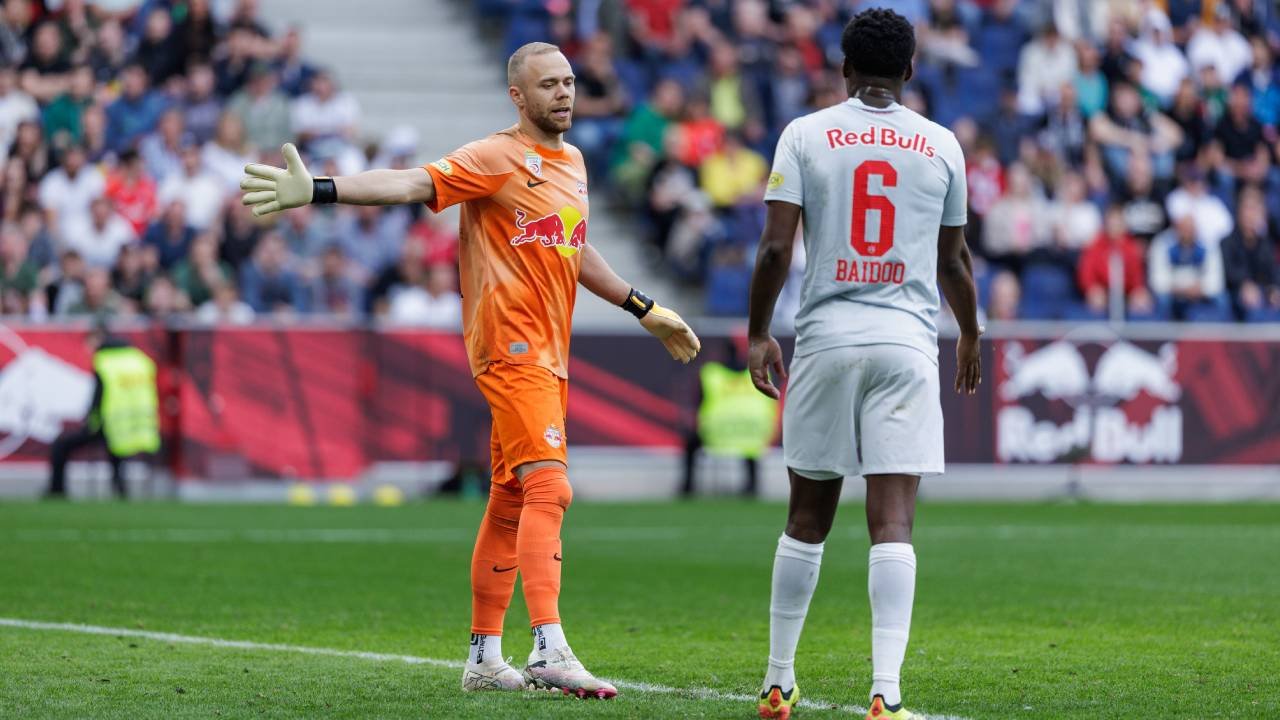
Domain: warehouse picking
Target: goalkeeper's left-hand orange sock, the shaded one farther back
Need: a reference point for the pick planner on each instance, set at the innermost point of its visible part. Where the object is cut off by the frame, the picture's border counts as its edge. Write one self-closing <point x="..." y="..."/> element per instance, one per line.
<point x="493" y="563"/>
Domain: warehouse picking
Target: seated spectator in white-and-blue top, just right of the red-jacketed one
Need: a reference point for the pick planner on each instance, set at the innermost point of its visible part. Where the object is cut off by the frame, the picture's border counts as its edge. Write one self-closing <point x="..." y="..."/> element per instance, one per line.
<point x="1187" y="277"/>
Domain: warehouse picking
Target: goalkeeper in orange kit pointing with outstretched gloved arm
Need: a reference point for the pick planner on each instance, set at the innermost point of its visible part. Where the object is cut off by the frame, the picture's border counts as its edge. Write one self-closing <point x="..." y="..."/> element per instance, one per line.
<point x="523" y="254"/>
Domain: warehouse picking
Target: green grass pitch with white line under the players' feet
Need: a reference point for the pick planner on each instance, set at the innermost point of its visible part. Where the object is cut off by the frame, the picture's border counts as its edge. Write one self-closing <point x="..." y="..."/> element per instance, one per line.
<point x="1048" y="612"/>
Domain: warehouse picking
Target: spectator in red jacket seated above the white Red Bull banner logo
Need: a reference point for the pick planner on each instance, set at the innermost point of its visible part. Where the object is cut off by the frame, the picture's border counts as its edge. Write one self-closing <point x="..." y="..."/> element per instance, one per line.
<point x="1095" y="272"/>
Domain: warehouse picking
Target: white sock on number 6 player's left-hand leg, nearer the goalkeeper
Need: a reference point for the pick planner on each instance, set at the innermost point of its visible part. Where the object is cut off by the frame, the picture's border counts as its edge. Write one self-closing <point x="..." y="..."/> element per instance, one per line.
<point x="796" y="576"/>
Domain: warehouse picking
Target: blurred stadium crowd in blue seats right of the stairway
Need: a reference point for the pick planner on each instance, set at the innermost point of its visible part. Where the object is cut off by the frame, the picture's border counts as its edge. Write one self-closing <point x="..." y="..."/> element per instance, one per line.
<point x="1122" y="154"/>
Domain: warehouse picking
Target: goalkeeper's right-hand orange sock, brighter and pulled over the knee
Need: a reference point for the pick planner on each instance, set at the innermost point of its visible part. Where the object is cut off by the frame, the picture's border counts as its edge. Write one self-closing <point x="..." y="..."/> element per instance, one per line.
<point x="547" y="496"/>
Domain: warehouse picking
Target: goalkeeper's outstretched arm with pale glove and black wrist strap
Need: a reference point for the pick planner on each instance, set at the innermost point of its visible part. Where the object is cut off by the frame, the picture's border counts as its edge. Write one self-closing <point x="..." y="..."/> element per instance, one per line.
<point x="271" y="190"/>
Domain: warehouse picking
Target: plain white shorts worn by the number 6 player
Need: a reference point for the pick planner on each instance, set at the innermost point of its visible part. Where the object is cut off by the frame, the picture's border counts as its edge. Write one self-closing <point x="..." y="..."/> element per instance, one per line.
<point x="863" y="411"/>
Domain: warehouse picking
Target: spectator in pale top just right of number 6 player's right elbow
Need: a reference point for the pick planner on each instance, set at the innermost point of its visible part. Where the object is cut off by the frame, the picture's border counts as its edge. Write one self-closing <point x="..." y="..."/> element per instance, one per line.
<point x="1017" y="224"/>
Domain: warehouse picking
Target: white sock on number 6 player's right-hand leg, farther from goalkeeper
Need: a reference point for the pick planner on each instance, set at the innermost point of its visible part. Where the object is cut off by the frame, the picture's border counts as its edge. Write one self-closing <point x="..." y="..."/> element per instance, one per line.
<point x="892" y="585"/>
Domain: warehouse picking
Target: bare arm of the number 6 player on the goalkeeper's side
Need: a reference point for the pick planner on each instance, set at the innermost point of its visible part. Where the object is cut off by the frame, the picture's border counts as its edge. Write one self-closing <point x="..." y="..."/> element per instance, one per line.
<point x="772" y="263"/>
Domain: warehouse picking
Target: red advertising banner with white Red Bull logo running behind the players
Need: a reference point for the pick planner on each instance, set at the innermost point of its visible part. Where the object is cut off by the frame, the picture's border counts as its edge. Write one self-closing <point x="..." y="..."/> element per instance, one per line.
<point x="331" y="403"/>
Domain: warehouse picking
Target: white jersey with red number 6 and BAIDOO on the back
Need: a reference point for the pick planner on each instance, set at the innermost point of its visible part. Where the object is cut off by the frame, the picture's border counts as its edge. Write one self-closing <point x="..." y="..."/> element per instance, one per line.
<point x="875" y="186"/>
